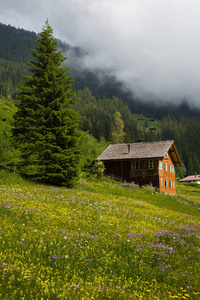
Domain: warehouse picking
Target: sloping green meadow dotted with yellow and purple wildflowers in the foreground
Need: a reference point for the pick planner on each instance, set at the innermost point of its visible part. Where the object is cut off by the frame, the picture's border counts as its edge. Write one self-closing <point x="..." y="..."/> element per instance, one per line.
<point x="98" y="241"/>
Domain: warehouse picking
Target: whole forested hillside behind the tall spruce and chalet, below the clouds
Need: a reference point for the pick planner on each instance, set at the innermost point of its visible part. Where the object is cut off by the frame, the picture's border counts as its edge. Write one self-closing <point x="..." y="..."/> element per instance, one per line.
<point x="100" y="97"/>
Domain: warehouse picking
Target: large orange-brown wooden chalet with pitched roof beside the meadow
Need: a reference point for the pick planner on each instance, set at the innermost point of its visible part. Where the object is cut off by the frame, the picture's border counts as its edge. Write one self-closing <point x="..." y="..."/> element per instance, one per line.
<point x="143" y="163"/>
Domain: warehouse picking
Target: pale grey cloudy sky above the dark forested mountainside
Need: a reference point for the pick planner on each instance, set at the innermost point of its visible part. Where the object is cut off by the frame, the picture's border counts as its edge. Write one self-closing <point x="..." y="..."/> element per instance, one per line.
<point x="154" y="45"/>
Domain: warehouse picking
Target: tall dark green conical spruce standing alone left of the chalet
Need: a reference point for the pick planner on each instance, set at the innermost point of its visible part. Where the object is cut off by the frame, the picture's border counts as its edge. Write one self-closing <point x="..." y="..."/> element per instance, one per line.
<point x="46" y="128"/>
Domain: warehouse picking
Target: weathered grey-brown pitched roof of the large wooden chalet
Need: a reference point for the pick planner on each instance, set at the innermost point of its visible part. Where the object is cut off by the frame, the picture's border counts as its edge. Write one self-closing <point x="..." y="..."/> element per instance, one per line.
<point x="140" y="151"/>
